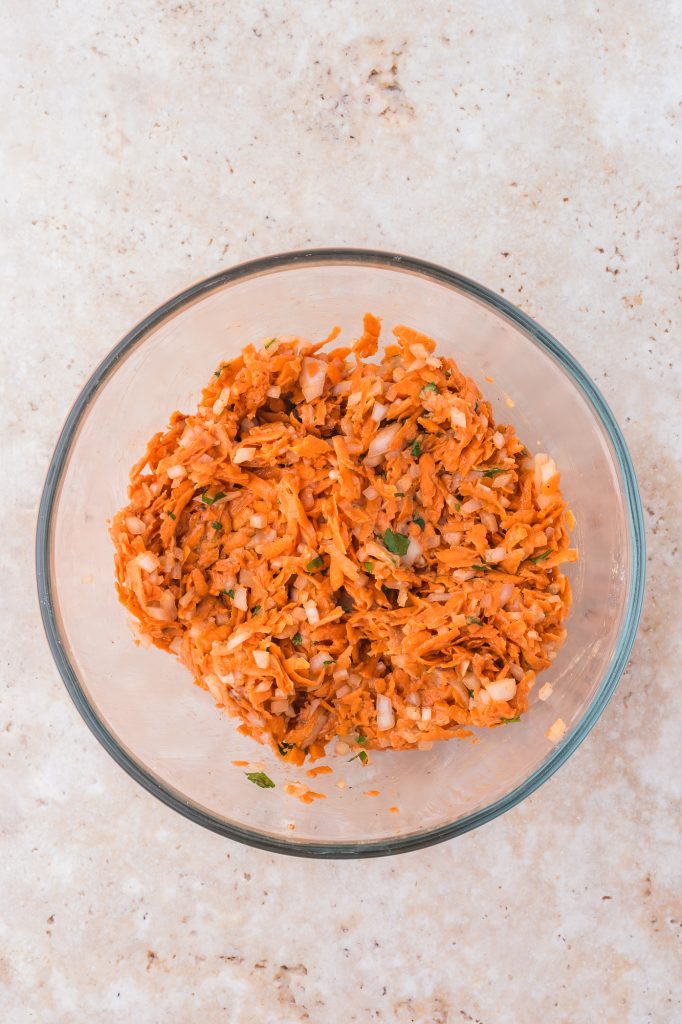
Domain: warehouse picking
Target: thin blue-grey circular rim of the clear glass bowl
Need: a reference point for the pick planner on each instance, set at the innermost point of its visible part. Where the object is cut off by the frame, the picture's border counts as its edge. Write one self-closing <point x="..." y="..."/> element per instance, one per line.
<point x="538" y="335"/>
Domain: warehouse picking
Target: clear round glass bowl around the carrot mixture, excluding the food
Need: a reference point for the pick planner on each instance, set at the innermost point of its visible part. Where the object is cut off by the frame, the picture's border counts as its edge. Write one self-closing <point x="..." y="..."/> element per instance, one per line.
<point x="143" y="706"/>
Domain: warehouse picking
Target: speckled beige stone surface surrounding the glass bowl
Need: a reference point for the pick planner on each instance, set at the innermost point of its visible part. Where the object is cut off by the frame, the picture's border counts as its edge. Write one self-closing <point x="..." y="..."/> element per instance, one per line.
<point x="533" y="147"/>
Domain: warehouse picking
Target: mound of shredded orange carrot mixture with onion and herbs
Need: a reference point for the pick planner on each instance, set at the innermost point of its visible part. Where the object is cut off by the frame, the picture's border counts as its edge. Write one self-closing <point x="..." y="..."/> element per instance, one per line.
<point x="342" y="548"/>
